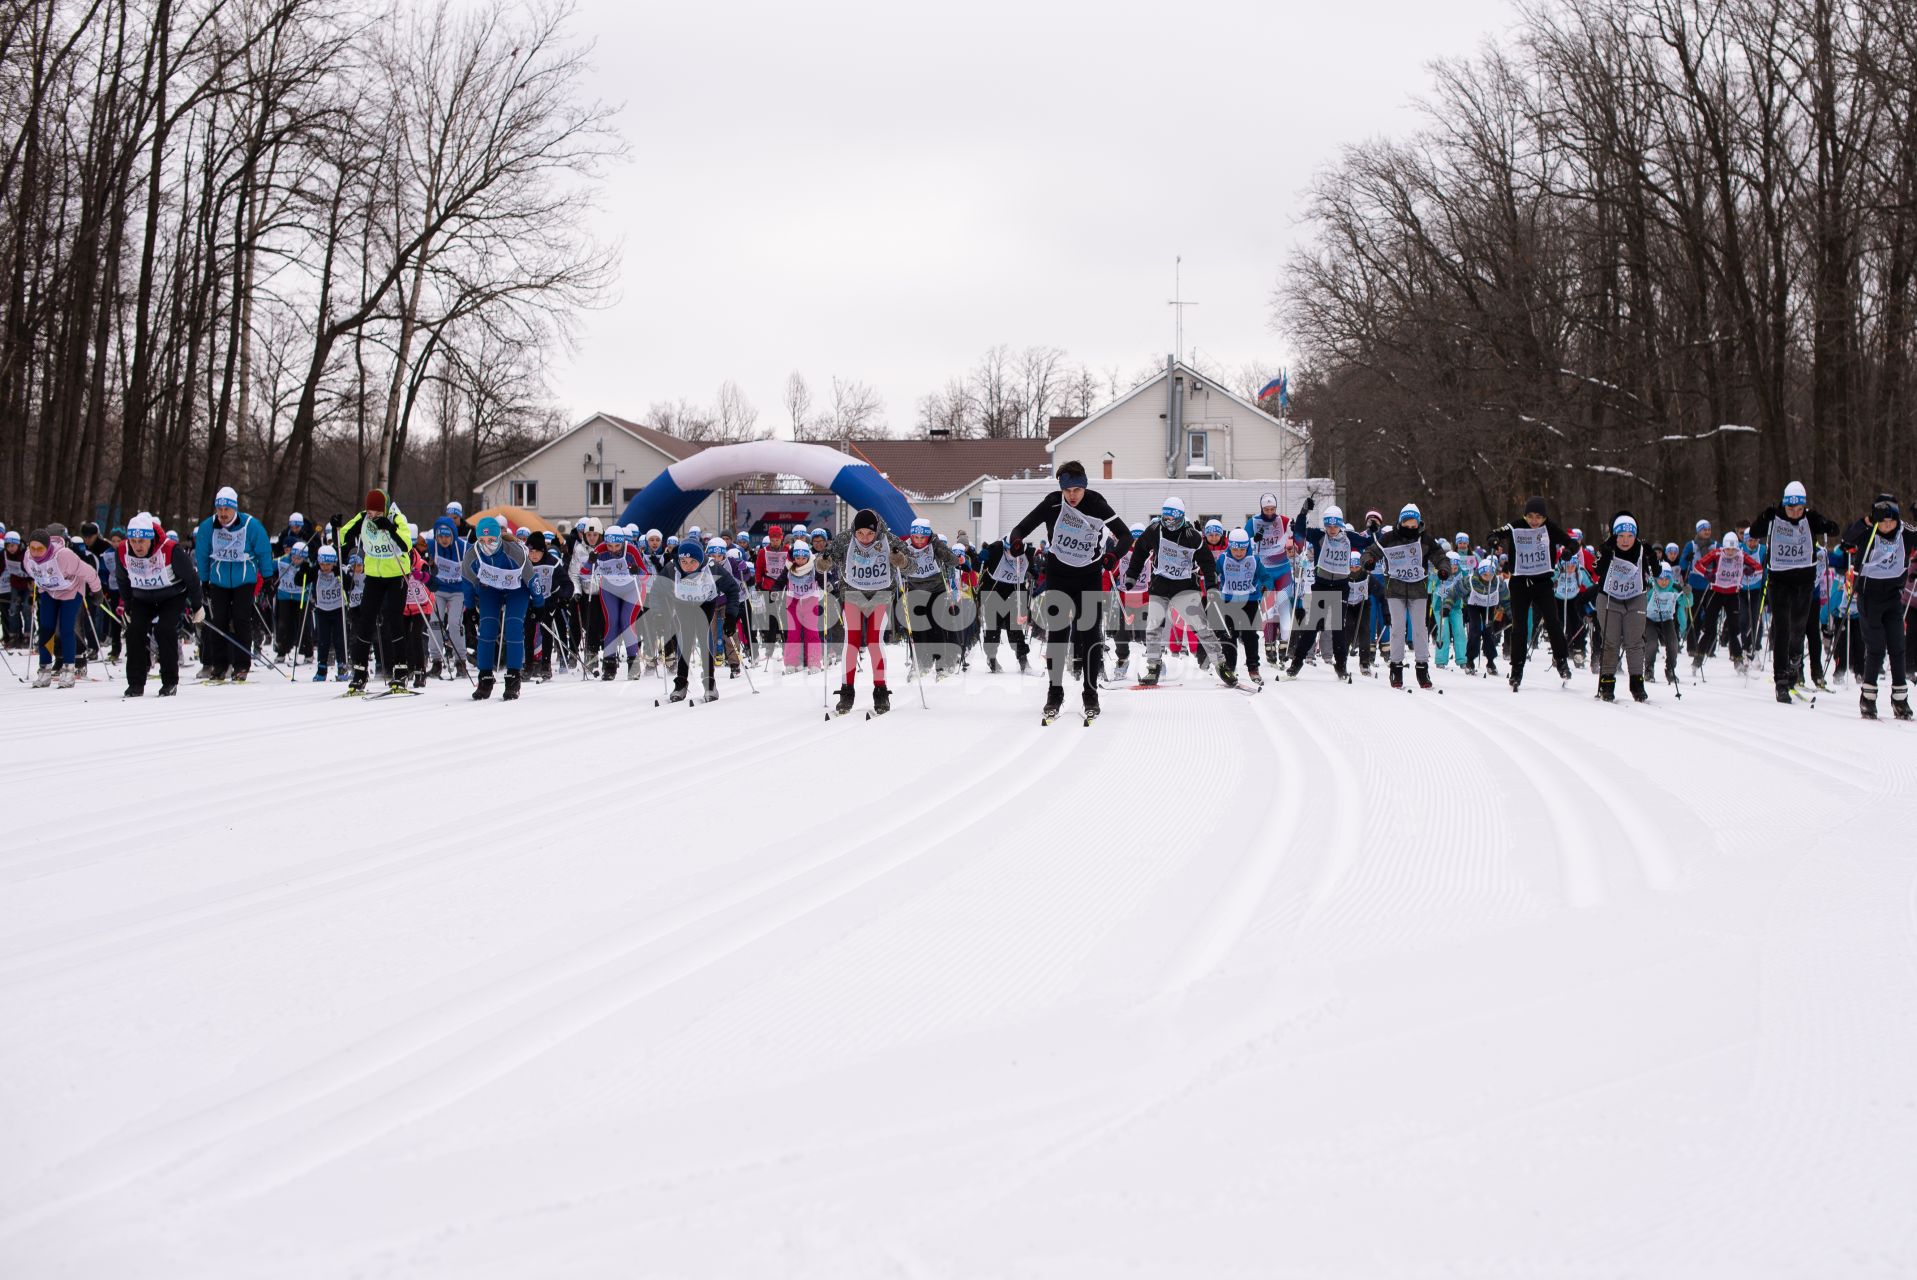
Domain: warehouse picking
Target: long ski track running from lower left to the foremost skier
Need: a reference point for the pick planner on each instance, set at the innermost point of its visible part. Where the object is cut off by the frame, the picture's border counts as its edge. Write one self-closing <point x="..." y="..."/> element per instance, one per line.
<point x="538" y="1007"/>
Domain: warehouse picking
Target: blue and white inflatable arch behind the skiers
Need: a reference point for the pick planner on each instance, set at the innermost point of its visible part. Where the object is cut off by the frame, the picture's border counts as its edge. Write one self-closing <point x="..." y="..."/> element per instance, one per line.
<point x="681" y="488"/>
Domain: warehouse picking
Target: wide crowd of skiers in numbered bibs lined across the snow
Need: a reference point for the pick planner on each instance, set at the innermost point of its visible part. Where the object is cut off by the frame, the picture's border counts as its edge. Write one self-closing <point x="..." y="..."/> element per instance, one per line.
<point x="1105" y="601"/>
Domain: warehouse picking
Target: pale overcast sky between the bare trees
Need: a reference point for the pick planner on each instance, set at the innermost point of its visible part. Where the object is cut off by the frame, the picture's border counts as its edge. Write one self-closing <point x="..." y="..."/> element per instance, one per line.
<point x="885" y="191"/>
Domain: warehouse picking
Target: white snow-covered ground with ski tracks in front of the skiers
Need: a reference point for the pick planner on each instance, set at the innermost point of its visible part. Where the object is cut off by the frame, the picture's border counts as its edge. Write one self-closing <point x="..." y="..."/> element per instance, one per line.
<point x="1328" y="982"/>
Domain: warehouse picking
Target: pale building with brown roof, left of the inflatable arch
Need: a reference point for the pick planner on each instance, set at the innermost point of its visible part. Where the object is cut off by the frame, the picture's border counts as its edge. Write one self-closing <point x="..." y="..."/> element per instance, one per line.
<point x="593" y="470"/>
